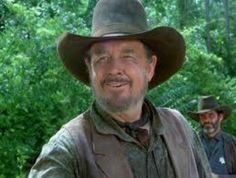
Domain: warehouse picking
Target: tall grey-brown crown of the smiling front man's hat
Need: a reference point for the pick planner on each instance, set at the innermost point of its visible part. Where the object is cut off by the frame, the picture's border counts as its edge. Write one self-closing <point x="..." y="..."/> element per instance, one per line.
<point x="118" y="16"/>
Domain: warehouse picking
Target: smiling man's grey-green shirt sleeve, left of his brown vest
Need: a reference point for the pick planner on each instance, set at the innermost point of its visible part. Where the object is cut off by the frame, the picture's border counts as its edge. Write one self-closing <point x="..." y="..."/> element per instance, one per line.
<point x="59" y="157"/>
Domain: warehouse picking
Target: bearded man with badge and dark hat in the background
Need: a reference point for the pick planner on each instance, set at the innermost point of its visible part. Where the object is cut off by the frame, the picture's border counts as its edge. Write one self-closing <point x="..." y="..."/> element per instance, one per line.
<point x="220" y="147"/>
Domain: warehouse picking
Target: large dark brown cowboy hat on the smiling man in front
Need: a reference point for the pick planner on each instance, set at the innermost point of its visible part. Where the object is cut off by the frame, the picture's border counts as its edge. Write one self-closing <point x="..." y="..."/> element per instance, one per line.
<point x="123" y="19"/>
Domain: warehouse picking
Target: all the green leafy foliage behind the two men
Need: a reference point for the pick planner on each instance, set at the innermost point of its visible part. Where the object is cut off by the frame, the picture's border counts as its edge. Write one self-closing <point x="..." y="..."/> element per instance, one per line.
<point x="37" y="95"/>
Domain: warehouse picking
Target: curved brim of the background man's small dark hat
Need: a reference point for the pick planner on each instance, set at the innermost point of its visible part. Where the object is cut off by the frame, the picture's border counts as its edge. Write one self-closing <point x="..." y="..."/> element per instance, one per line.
<point x="225" y="109"/>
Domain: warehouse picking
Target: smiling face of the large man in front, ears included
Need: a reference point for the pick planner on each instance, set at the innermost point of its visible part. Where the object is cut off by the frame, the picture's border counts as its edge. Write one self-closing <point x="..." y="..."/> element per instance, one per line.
<point x="119" y="73"/>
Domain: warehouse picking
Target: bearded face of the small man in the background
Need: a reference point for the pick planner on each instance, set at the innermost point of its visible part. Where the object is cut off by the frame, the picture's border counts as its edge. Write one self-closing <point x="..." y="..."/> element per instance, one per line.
<point x="210" y="122"/>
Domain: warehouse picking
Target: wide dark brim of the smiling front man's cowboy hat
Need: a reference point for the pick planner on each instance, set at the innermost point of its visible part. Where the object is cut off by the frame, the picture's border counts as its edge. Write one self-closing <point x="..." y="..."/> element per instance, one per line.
<point x="165" y="42"/>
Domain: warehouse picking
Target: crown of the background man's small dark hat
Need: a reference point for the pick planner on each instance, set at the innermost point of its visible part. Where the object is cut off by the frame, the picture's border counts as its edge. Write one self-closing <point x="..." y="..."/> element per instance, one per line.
<point x="207" y="102"/>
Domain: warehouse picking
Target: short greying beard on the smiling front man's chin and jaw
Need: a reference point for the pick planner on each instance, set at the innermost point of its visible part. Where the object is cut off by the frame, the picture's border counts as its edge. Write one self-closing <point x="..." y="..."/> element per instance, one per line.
<point x="117" y="103"/>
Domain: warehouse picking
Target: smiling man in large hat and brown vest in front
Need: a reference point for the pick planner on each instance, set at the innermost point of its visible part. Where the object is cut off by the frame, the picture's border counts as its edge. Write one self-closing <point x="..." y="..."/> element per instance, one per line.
<point x="122" y="134"/>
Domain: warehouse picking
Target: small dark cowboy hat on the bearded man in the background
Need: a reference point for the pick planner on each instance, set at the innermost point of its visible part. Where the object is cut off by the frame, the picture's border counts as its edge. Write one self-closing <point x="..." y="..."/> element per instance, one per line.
<point x="209" y="103"/>
